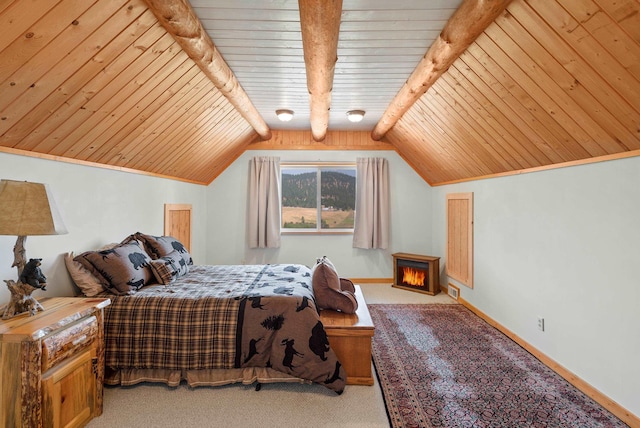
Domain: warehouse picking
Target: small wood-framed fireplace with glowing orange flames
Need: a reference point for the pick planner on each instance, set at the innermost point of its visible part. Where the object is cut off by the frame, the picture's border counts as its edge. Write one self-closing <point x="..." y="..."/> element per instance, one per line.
<point x="416" y="272"/>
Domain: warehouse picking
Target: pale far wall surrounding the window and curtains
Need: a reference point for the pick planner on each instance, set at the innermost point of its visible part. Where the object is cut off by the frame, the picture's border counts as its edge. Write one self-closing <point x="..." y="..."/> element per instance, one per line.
<point x="410" y="219"/>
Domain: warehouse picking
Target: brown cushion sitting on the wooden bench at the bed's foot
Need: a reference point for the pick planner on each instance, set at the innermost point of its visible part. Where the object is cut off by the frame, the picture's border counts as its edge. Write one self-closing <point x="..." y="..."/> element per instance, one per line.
<point x="328" y="288"/>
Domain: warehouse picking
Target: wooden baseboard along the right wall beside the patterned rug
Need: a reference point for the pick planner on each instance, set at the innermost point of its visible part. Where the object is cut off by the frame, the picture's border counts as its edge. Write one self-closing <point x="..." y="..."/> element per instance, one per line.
<point x="622" y="413"/>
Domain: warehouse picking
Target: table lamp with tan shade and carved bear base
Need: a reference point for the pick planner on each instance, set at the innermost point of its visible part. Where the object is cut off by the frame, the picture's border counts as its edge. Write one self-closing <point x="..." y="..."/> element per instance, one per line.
<point x="27" y="209"/>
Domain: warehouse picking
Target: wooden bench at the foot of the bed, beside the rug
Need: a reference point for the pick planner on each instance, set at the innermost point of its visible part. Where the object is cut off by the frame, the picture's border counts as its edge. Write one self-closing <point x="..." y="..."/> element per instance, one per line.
<point x="350" y="338"/>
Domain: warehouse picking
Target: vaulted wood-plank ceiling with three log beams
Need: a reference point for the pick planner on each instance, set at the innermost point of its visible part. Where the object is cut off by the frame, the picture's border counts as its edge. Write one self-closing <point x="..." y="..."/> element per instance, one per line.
<point x="181" y="90"/>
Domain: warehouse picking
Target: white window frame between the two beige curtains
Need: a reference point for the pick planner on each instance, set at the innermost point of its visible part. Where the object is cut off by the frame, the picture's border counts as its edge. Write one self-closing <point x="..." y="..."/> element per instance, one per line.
<point x="318" y="166"/>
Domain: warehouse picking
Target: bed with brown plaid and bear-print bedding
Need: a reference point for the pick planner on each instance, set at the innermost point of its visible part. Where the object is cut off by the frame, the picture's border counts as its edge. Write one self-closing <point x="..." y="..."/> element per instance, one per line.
<point x="213" y="325"/>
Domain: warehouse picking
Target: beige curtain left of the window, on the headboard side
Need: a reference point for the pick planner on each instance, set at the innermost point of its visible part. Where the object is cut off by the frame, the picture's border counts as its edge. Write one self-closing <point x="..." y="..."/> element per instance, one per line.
<point x="264" y="202"/>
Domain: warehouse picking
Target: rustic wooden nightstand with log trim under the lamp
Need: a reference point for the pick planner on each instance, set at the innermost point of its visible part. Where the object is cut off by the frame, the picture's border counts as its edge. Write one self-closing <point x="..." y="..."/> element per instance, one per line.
<point x="52" y="364"/>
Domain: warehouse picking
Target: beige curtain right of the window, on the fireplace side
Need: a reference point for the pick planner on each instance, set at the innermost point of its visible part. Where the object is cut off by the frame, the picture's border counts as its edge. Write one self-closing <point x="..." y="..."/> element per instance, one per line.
<point x="372" y="204"/>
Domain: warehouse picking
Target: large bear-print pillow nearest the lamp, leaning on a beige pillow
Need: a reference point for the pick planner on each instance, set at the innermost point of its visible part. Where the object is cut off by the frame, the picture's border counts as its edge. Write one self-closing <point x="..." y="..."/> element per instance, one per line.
<point x="124" y="269"/>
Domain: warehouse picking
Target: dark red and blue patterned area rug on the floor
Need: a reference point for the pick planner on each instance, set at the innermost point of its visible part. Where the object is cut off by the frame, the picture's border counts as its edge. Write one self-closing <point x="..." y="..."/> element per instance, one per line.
<point x="443" y="366"/>
